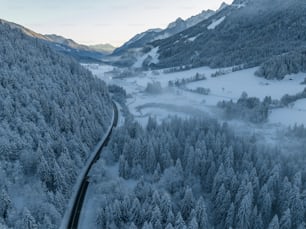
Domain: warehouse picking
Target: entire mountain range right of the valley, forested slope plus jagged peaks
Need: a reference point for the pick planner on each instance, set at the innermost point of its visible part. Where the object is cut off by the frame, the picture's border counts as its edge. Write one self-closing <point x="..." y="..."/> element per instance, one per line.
<point x="246" y="33"/>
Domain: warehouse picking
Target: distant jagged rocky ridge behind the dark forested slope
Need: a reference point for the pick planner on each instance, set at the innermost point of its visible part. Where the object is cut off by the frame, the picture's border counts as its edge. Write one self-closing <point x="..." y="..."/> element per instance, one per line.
<point x="156" y="34"/>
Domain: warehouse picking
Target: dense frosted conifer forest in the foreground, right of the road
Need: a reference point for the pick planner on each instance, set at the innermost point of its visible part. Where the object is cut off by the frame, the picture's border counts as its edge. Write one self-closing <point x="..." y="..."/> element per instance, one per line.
<point x="198" y="173"/>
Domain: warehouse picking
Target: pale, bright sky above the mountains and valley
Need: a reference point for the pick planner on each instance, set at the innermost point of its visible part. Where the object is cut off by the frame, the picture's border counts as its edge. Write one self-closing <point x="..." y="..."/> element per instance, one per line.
<point x="100" y="21"/>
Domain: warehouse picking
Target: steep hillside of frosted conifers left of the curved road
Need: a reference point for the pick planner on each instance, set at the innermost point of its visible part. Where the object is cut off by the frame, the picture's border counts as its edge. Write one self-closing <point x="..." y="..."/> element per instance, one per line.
<point x="52" y="113"/>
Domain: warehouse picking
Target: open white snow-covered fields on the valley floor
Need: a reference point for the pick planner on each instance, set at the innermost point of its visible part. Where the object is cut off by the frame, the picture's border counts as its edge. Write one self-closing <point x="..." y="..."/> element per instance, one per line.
<point x="230" y="86"/>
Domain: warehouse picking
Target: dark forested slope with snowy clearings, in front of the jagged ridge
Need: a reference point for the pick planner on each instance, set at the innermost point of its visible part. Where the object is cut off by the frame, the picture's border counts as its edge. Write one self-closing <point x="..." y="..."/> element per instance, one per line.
<point x="245" y="33"/>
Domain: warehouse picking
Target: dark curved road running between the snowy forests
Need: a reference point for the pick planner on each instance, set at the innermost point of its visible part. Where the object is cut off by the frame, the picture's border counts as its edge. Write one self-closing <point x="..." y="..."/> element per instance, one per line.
<point x="77" y="205"/>
